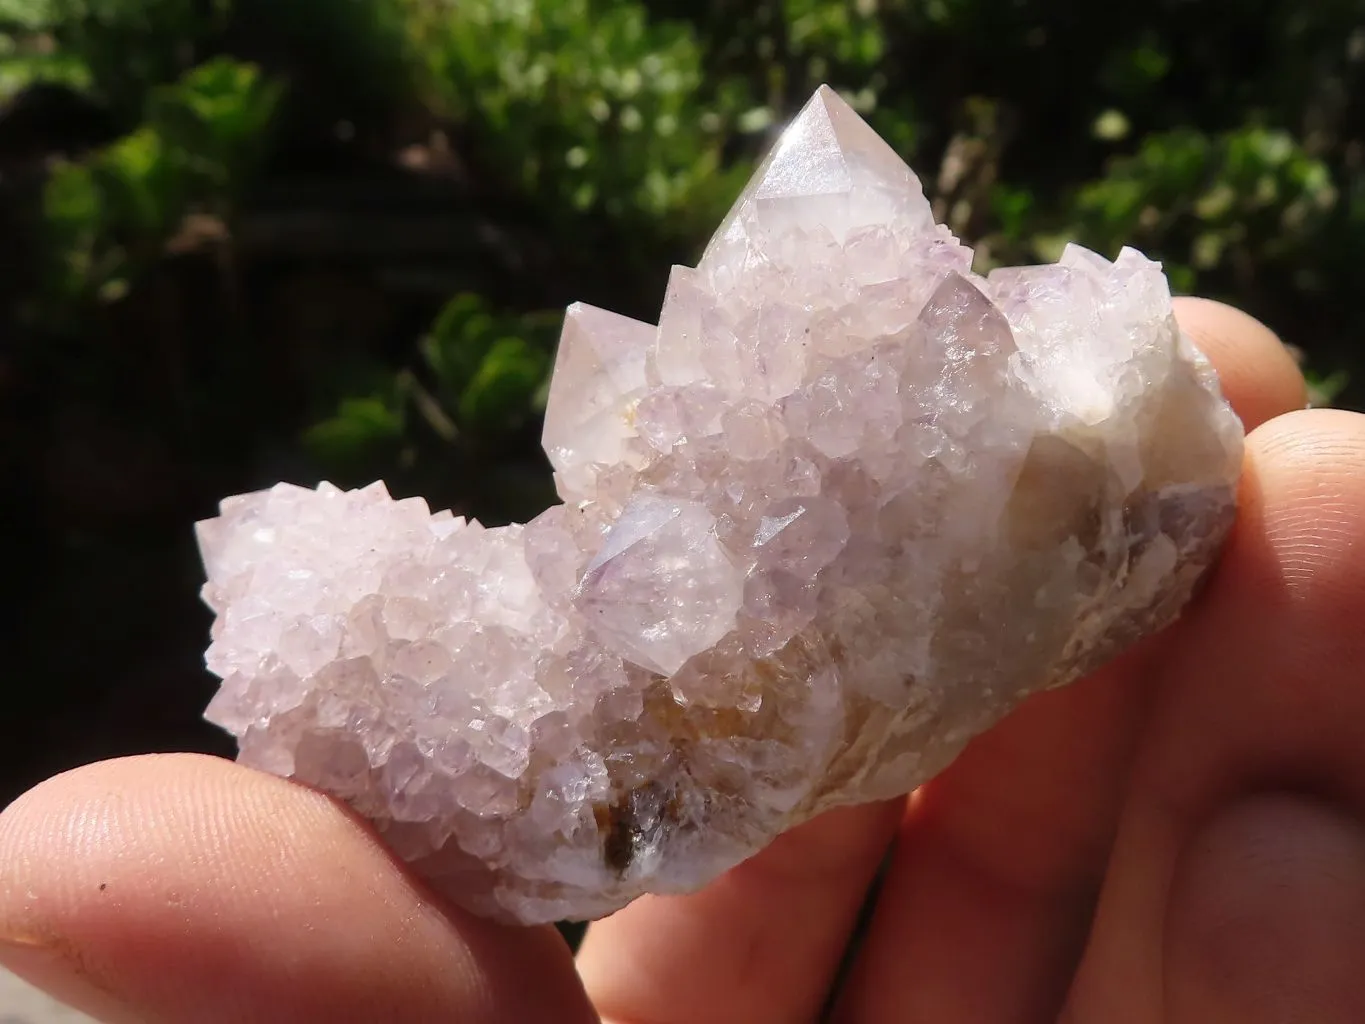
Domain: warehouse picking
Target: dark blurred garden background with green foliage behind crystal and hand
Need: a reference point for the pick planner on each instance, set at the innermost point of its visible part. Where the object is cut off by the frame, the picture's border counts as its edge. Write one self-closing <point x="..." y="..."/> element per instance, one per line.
<point x="259" y="240"/>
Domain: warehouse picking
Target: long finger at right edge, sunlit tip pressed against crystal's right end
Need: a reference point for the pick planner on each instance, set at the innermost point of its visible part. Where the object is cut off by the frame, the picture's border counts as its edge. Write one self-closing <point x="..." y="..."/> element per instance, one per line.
<point x="1265" y="690"/>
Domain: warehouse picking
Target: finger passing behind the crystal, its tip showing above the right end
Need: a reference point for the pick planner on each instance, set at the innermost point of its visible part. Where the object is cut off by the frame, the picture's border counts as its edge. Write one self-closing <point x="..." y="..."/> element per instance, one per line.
<point x="997" y="868"/>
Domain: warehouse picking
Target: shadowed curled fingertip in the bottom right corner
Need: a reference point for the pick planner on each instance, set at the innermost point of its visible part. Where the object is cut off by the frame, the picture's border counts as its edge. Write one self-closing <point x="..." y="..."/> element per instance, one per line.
<point x="1267" y="918"/>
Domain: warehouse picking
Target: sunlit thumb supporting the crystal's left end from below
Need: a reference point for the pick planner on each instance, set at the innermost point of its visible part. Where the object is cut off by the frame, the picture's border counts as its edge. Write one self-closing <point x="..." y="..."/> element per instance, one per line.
<point x="182" y="888"/>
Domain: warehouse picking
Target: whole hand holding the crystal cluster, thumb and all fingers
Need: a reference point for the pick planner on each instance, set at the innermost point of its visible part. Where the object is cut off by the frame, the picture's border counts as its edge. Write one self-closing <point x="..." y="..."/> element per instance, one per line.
<point x="1179" y="839"/>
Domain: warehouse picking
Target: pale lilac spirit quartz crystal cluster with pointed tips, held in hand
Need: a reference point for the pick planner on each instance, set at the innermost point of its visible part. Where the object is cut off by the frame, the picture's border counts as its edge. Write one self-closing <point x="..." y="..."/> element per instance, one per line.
<point x="837" y="514"/>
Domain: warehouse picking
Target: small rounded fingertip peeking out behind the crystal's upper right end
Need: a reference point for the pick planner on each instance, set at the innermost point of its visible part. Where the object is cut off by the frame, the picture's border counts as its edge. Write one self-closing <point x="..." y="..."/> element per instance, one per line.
<point x="1258" y="373"/>
